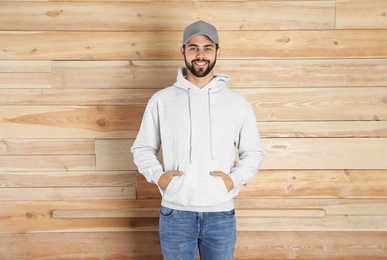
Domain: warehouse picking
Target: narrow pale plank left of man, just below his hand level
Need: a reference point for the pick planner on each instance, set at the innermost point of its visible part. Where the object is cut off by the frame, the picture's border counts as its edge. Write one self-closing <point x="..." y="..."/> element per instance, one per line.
<point x="68" y="193"/>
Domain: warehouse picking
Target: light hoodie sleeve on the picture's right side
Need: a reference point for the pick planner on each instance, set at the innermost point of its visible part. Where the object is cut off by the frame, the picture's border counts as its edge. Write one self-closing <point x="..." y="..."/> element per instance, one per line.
<point x="251" y="152"/>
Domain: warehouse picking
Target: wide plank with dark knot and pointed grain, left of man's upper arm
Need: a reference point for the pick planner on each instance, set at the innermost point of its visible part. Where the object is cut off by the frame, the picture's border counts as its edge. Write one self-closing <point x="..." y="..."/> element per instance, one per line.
<point x="73" y="121"/>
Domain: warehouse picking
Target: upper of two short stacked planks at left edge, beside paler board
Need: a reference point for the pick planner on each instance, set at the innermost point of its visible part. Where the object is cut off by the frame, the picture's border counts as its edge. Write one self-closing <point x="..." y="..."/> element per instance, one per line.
<point x="46" y="146"/>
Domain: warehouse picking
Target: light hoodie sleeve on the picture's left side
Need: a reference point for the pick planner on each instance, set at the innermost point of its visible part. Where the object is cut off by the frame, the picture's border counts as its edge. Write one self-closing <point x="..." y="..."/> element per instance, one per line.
<point x="147" y="144"/>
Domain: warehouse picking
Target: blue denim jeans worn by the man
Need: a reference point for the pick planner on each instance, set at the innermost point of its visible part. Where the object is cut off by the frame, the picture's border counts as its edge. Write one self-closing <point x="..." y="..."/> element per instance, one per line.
<point x="183" y="233"/>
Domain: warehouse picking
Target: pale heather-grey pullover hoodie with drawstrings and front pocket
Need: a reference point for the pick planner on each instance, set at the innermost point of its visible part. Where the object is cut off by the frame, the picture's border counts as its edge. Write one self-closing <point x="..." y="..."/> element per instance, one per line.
<point x="212" y="128"/>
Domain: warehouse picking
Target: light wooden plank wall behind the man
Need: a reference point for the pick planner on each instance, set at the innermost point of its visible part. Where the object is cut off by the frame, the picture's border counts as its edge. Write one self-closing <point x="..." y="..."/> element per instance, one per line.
<point x="76" y="75"/>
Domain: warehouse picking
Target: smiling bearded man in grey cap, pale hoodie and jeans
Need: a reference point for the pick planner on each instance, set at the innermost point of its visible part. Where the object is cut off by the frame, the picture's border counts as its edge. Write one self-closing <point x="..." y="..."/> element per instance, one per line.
<point x="211" y="147"/>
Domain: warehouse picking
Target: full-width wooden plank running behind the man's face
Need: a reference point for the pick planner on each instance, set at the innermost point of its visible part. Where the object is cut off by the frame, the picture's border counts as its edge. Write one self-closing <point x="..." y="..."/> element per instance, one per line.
<point x="54" y="45"/>
